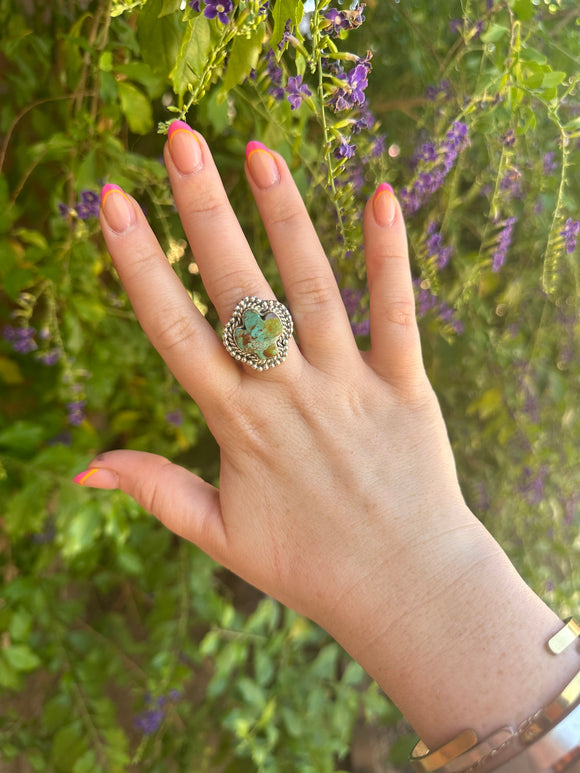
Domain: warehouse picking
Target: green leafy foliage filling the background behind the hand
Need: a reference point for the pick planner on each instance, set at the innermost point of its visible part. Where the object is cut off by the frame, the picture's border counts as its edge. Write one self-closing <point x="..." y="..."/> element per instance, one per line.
<point x="105" y="618"/>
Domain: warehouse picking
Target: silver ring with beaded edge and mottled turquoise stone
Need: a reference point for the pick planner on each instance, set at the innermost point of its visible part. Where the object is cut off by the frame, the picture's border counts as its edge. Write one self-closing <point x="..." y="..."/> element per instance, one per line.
<point x="258" y="333"/>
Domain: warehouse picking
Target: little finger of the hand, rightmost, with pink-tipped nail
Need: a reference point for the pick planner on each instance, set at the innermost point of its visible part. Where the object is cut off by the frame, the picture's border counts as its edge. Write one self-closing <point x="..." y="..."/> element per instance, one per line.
<point x="396" y="346"/>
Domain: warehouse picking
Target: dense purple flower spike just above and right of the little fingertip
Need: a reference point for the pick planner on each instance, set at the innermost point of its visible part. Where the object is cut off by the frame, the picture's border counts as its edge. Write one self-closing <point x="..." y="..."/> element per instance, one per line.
<point x="435" y="163"/>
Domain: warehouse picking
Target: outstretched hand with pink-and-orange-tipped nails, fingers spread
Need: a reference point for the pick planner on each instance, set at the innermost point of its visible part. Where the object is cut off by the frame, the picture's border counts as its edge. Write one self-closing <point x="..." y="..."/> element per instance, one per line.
<point x="338" y="493"/>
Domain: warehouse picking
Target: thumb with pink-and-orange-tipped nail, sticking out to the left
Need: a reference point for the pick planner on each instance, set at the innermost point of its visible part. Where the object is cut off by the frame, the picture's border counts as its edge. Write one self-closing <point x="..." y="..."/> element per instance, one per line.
<point x="184" y="502"/>
